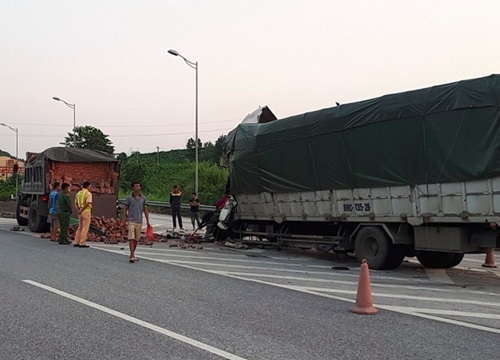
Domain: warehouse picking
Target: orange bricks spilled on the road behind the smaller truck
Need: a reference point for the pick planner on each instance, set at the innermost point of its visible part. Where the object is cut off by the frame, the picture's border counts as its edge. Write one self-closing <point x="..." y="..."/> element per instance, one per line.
<point x="112" y="232"/>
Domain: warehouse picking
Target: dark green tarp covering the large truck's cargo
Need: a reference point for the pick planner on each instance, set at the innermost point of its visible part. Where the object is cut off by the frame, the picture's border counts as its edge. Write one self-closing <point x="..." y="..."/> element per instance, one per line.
<point x="445" y="133"/>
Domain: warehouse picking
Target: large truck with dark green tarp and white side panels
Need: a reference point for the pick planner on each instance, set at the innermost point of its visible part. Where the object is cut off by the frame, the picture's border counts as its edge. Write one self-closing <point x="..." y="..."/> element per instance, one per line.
<point x="408" y="174"/>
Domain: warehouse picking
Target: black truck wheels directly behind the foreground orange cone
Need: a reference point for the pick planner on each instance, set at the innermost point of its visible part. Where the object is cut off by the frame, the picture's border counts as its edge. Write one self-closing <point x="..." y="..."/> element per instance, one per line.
<point x="373" y="244"/>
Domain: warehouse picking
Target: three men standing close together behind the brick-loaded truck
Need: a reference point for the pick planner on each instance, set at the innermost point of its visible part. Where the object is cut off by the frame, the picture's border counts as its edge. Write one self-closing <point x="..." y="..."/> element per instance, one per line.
<point x="60" y="209"/>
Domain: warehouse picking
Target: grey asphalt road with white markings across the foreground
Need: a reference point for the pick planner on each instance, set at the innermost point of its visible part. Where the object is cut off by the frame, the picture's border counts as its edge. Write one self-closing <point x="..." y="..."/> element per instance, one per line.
<point x="60" y="302"/>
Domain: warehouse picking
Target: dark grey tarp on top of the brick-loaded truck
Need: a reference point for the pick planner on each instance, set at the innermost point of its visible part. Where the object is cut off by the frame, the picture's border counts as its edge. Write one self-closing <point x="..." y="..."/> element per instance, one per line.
<point x="64" y="154"/>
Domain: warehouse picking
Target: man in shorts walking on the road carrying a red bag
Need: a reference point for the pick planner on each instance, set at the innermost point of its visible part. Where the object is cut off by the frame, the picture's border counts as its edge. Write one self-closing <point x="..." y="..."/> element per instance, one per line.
<point x="135" y="204"/>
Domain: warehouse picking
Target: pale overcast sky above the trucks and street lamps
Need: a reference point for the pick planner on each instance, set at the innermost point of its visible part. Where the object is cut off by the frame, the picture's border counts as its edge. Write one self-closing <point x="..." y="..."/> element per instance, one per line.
<point x="109" y="57"/>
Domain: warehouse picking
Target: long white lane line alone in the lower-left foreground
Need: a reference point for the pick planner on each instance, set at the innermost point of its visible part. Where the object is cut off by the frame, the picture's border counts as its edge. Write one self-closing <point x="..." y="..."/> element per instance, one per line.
<point x="139" y="322"/>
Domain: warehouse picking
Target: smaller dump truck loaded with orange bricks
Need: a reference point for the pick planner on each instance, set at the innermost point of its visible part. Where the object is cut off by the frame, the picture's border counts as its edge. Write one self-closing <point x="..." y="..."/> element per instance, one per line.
<point x="73" y="166"/>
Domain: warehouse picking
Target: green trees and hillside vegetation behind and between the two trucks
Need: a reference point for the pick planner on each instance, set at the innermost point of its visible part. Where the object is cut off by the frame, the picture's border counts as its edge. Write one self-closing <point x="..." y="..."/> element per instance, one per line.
<point x="159" y="171"/>
